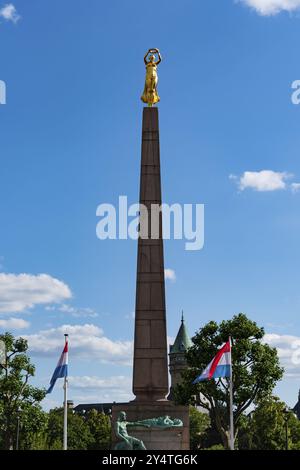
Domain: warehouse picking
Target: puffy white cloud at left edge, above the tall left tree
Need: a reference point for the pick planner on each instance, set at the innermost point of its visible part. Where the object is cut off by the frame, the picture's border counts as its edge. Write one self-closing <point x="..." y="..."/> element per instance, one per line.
<point x="21" y="291"/>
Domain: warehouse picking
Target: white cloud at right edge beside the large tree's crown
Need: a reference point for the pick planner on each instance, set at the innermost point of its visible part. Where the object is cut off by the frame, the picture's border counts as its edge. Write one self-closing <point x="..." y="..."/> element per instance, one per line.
<point x="288" y="348"/>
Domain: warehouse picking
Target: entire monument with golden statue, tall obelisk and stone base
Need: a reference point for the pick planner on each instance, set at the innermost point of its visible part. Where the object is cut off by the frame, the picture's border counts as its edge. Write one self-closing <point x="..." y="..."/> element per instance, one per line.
<point x="150" y="364"/>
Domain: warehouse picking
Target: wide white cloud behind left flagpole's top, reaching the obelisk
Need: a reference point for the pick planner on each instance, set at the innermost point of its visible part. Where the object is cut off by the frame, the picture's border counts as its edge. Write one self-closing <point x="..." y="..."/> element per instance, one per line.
<point x="86" y="342"/>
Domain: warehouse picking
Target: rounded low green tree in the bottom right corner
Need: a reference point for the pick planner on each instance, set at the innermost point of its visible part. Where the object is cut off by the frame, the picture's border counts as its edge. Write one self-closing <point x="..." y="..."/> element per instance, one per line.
<point x="265" y="427"/>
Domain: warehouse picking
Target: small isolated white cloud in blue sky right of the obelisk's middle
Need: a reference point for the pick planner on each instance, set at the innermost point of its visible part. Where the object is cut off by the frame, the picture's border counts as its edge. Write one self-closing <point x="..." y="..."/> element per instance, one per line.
<point x="264" y="180"/>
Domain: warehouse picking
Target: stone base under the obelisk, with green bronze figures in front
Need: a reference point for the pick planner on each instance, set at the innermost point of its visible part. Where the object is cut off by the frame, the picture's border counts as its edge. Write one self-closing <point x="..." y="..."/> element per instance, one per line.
<point x="155" y="438"/>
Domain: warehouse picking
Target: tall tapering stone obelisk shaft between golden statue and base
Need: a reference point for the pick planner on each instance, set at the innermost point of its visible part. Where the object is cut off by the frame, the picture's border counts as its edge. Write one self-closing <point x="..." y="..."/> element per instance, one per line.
<point x="150" y="373"/>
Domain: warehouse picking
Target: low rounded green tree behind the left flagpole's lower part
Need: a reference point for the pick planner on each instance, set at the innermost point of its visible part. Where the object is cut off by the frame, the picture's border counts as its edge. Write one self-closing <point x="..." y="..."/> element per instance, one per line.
<point x="79" y="434"/>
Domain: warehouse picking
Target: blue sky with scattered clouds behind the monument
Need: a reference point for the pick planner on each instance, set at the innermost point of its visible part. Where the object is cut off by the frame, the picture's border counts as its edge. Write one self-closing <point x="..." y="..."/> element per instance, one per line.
<point x="70" y="140"/>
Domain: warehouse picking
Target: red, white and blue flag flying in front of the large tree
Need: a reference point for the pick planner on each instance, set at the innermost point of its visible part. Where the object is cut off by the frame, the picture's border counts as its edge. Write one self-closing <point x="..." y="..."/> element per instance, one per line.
<point x="219" y="366"/>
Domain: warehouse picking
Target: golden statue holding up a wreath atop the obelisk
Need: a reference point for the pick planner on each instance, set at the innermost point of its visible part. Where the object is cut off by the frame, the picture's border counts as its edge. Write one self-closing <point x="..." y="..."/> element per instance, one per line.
<point x="150" y="94"/>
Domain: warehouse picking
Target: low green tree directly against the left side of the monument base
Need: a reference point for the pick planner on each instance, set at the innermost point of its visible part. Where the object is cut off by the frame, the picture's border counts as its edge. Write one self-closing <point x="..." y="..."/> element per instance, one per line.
<point x="100" y="428"/>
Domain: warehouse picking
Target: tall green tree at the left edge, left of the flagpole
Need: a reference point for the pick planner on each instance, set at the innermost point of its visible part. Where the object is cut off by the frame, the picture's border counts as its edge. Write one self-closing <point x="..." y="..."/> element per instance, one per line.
<point x="18" y="399"/>
